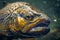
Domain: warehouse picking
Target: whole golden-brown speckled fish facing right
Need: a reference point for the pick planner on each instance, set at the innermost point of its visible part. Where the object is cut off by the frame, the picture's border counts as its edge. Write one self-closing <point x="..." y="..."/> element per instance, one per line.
<point x="24" y="20"/>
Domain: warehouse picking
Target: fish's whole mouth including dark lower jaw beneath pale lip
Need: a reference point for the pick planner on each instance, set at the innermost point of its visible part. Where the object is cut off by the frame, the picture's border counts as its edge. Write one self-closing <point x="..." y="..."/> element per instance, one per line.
<point x="40" y="29"/>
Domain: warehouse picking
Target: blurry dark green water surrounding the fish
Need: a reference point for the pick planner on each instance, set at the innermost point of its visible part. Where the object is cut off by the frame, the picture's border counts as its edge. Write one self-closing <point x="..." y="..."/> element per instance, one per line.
<point x="50" y="8"/>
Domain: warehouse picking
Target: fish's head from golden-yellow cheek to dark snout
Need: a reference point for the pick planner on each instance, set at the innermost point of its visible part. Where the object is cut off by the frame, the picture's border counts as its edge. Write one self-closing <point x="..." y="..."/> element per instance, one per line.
<point x="32" y="22"/>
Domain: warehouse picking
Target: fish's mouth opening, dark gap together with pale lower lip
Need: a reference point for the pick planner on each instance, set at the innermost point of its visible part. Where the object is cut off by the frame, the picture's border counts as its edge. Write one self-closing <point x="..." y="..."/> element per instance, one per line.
<point x="40" y="26"/>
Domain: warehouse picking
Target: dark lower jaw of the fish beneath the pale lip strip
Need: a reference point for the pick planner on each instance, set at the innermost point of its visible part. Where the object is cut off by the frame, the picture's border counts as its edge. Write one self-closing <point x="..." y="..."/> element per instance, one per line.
<point x="44" y="31"/>
